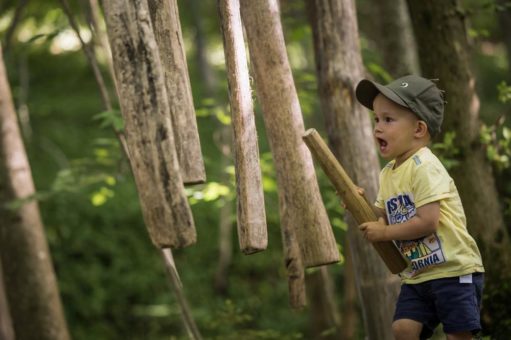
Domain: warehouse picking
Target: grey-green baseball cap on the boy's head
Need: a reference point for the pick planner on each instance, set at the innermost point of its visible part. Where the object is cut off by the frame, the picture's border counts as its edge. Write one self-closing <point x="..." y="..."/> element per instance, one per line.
<point x="418" y="94"/>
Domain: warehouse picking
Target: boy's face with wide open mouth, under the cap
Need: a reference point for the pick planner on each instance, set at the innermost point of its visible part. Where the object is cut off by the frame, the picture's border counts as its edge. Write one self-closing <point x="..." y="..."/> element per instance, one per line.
<point x="396" y="130"/>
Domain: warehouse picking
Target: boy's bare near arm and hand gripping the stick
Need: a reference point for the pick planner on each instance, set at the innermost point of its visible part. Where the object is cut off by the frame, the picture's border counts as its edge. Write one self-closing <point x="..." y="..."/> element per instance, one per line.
<point x="424" y="223"/>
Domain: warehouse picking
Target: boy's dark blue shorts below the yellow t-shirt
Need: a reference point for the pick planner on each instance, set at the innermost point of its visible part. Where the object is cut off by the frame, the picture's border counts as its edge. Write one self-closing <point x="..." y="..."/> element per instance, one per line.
<point x="456" y="305"/>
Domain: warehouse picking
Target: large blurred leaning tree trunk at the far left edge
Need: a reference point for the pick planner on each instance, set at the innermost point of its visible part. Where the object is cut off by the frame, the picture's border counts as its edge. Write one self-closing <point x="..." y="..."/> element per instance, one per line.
<point x="29" y="278"/>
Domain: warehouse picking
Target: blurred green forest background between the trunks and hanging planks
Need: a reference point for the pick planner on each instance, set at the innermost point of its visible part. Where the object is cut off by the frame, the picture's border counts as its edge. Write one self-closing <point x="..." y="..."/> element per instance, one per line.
<point x="111" y="279"/>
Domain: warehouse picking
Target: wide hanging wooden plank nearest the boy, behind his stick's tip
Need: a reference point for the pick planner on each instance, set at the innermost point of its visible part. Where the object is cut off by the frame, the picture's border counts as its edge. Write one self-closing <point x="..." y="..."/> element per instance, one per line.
<point x="301" y="208"/>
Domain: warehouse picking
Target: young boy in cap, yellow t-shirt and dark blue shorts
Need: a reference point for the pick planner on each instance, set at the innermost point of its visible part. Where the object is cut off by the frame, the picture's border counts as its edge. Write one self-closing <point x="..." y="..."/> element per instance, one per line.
<point x="418" y="198"/>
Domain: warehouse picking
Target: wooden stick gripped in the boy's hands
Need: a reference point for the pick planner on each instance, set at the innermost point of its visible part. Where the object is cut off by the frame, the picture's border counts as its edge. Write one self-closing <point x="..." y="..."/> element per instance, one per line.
<point x="355" y="203"/>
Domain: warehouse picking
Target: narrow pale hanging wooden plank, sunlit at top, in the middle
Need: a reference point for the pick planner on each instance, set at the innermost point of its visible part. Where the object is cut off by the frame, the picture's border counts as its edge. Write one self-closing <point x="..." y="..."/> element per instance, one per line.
<point x="252" y="231"/>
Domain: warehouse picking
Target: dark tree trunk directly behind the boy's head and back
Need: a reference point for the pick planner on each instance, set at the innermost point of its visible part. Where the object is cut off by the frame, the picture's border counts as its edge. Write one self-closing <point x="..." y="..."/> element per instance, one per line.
<point x="443" y="48"/>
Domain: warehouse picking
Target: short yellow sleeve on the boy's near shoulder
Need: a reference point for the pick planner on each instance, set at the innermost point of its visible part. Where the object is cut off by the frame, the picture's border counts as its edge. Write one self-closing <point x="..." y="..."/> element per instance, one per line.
<point x="430" y="183"/>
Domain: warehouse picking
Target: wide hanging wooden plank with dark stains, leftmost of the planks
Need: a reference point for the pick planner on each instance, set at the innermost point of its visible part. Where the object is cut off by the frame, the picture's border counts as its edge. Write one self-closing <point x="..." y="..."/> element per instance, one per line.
<point x="148" y="129"/>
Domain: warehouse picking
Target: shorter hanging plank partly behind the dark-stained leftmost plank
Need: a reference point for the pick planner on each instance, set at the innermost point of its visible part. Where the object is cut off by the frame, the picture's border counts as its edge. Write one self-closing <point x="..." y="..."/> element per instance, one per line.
<point x="167" y="30"/>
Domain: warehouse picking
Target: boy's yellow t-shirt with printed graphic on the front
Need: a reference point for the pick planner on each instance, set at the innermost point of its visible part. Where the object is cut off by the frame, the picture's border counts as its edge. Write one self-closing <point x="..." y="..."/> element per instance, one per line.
<point x="448" y="252"/>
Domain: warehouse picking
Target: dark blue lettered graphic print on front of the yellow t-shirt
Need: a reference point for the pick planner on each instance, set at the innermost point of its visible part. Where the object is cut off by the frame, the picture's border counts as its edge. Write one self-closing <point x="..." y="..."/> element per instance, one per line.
<point x="423" y="252"/>
